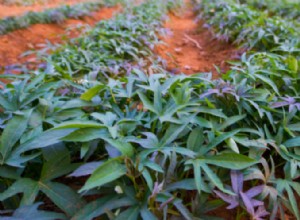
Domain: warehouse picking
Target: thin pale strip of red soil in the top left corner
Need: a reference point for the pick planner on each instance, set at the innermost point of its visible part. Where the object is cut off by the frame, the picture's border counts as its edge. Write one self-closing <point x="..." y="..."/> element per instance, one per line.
<point x="14" y="10"/>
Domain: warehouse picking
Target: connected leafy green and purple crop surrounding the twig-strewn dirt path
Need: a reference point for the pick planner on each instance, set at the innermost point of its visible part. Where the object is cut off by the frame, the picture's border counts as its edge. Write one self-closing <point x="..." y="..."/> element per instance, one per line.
<point x="102" y="130"/>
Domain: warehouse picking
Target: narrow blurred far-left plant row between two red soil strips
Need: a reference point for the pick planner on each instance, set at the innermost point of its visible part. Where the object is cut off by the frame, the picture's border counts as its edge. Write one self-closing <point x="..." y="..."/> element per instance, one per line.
<point x="56" y="15"/>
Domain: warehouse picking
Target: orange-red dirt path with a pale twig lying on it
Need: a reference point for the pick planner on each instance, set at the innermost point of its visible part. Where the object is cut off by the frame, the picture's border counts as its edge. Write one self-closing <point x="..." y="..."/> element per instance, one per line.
<point x="192" y="49"/>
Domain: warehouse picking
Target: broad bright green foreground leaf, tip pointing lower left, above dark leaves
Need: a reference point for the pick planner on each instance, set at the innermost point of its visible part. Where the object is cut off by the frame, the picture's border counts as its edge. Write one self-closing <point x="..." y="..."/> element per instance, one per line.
<point x="107" y="172"/>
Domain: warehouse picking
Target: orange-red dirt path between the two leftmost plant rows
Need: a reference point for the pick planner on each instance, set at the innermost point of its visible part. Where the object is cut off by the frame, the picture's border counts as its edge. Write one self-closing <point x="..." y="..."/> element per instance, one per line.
<point x="14" y="44"/>
